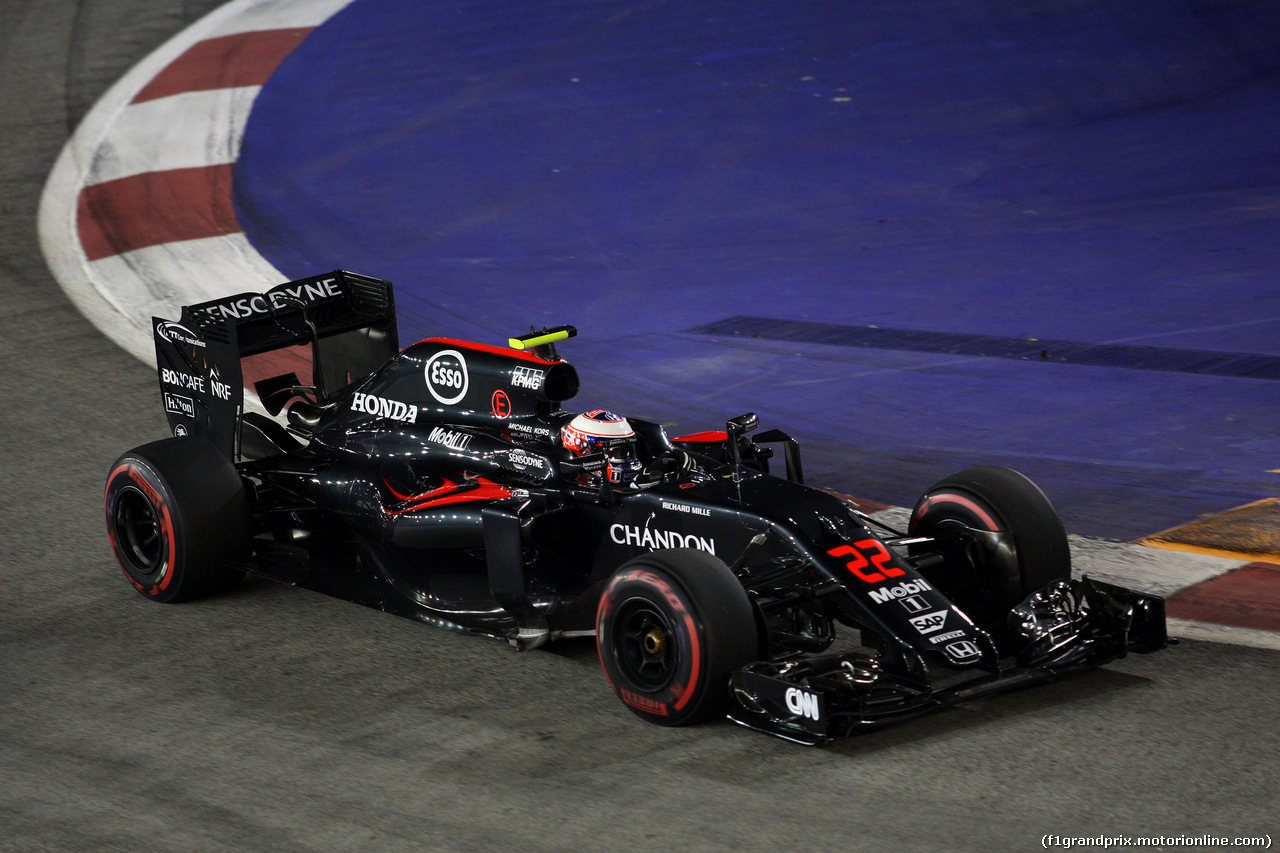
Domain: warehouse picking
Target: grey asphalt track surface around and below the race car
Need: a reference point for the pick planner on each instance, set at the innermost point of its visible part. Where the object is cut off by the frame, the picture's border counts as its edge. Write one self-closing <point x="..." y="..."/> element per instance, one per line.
<point x="276" y="719"/>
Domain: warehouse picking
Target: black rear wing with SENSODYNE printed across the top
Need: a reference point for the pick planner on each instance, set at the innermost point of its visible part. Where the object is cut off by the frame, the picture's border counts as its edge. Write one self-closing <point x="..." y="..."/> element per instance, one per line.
<point x="344" y="322"/>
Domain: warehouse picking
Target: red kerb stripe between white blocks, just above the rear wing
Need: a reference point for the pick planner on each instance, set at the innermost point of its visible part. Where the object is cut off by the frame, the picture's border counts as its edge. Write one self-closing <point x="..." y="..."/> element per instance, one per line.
<point x="156" y="208"/>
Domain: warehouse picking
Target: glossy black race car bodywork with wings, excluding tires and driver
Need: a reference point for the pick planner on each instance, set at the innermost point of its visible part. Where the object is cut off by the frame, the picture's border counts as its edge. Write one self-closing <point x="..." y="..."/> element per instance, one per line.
<point x="431" y="483"/>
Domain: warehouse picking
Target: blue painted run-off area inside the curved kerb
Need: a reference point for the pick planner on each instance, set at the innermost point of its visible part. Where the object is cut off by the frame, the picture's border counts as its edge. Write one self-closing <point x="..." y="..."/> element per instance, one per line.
<point x="1086" y="172"/>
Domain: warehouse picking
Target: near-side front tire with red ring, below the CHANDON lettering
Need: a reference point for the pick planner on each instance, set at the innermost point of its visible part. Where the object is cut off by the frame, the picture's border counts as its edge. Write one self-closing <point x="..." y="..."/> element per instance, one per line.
<point x="671" y="628"/>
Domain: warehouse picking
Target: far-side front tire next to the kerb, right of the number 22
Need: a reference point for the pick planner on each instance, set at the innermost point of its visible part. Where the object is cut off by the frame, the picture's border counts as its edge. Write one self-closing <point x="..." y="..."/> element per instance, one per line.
<point x="998" y="500"/>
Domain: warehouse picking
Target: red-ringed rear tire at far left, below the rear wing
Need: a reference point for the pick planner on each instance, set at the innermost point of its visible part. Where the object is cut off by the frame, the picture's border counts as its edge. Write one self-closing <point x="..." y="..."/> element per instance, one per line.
<point x="179" y="519"/>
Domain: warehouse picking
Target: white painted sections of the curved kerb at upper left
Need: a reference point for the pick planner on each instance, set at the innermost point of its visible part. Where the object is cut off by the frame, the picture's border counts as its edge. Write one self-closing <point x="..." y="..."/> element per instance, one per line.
<point x="120" y="139"/>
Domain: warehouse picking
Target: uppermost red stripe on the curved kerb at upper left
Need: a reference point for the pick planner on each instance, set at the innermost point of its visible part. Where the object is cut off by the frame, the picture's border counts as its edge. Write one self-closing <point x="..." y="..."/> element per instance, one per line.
<point x="228" y="62"/>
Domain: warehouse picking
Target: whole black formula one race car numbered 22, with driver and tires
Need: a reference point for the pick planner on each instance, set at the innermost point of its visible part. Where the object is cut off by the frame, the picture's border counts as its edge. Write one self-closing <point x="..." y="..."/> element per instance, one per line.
<point x="446" y="483"/>
